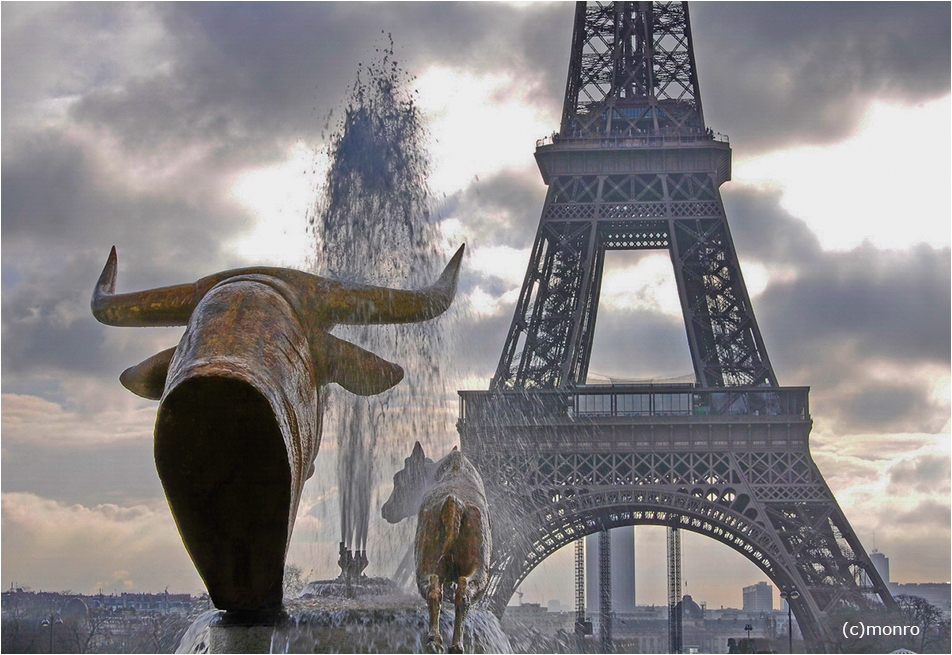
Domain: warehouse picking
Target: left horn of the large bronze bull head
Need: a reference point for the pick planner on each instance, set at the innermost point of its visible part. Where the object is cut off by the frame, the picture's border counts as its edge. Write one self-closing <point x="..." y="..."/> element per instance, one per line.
<point x="162" y="306"/>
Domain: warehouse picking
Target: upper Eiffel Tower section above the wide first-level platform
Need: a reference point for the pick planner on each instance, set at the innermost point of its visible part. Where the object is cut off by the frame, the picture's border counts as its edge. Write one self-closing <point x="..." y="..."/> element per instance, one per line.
<point x="633" y="168"/>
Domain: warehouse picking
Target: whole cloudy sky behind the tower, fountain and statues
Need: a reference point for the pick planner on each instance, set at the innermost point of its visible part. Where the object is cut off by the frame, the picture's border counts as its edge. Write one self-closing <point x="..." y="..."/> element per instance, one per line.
<point x="193" y="137"/>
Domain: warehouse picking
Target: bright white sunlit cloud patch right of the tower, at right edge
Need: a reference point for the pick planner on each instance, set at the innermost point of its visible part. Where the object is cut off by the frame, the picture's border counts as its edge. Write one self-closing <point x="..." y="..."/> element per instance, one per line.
<point x="887" y="184"/>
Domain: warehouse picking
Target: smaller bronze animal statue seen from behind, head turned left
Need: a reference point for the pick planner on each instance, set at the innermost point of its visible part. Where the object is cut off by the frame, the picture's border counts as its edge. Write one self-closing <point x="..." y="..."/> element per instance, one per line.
<point x="453" y="538"/>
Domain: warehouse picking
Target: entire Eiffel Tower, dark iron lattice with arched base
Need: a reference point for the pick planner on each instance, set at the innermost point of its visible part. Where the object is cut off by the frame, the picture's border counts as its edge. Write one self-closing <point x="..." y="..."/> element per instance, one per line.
<point x="634" y="167"/>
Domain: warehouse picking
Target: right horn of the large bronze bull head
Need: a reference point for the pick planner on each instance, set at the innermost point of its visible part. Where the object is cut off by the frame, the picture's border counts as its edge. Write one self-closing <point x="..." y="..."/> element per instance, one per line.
<point x="363" y="305"/>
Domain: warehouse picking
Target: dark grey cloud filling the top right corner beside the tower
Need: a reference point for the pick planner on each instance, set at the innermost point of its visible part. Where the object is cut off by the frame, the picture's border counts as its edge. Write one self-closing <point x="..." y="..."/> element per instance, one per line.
<point x="779" y="73"/>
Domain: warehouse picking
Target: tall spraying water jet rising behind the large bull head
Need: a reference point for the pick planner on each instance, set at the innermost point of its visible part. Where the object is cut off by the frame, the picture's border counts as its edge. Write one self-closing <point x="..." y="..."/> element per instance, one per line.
<point x="372" y="224"/>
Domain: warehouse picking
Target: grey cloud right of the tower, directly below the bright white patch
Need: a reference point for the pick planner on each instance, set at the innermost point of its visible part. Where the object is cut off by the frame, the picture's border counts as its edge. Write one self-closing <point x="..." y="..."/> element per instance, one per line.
<point x="887" y="304"/>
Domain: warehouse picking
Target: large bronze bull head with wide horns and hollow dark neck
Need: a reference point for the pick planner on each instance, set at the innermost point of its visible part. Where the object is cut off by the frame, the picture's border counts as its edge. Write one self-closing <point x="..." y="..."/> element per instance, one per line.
<point x="239" y="418"/>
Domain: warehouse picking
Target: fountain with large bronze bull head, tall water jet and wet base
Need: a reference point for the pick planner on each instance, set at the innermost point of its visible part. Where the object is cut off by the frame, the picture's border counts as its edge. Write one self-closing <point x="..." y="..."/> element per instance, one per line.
<point x="243" y="395"/>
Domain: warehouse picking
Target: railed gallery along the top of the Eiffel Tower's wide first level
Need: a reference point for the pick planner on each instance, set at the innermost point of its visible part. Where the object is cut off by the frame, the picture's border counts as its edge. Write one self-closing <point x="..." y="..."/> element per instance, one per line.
<point x="632" y="401"/>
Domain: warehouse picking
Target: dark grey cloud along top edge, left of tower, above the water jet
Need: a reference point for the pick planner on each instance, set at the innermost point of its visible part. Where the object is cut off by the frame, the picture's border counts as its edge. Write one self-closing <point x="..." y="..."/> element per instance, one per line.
<point x="254" y="75"/>
